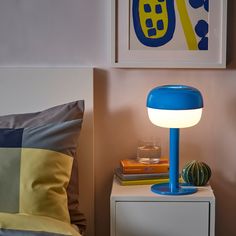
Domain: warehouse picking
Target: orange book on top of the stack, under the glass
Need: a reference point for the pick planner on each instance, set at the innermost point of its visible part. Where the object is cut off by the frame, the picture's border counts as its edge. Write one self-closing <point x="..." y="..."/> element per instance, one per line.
<point x="133" y="166"/>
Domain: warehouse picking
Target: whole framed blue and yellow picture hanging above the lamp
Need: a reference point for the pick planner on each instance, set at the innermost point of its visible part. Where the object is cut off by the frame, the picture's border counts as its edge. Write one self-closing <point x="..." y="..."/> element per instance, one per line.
<point x="168" y="33"/>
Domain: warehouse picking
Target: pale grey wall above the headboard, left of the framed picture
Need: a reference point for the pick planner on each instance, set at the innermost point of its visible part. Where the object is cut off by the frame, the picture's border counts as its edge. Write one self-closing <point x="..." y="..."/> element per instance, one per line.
<point x="52" y="32"/>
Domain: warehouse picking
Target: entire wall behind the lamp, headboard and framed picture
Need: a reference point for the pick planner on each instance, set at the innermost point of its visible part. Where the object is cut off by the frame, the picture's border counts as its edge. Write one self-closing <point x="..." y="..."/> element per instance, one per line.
<point x="61" y="33"/>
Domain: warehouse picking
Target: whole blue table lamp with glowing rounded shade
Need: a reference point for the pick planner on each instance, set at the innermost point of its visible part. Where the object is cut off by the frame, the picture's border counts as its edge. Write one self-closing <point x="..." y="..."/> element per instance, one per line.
<point x="174" y="107"/>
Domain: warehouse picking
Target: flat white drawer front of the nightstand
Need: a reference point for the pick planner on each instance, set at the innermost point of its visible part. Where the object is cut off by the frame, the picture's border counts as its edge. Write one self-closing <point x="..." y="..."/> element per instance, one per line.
<point x="162" y="219"/>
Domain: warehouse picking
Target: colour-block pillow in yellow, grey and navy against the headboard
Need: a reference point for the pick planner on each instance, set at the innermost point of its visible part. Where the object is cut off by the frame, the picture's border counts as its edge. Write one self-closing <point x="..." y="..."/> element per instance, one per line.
<point x="38" y="164"/>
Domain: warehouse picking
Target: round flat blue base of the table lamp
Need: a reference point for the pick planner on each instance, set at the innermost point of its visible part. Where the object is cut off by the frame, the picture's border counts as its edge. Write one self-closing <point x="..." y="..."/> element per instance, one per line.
<point x="164" y="189"/>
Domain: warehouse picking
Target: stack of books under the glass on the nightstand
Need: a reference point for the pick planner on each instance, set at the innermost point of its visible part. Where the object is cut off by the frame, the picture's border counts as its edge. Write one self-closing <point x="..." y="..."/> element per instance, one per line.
<point x="132" y="172"/>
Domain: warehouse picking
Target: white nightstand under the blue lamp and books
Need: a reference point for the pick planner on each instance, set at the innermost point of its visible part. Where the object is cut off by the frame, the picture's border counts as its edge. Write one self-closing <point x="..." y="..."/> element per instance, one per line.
<point x="136" y="211"/>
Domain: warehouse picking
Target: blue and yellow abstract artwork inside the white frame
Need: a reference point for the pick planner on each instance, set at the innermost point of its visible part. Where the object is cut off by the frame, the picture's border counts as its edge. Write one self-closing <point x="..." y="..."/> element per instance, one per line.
<point x="170" y="24"/>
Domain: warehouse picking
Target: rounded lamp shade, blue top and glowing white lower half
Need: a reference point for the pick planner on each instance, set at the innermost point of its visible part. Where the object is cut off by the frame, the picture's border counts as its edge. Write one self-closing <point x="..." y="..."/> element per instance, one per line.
<point x="174" y="106"/>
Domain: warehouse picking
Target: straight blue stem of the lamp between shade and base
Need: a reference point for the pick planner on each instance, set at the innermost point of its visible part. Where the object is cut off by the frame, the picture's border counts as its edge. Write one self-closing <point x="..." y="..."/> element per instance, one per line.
<point x="174" y="159"/>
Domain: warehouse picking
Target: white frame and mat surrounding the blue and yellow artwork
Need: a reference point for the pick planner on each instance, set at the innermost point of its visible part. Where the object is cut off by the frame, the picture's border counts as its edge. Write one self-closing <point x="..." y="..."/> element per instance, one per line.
<point x="123" y="56"/>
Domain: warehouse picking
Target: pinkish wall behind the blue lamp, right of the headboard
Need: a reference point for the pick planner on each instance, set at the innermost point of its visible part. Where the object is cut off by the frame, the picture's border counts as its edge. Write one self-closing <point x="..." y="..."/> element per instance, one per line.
<point x="121" y="119"/>
